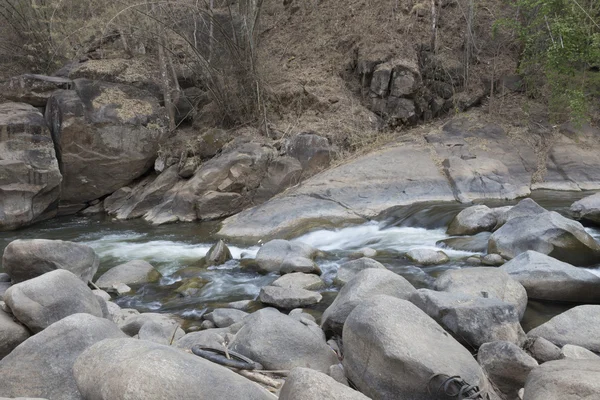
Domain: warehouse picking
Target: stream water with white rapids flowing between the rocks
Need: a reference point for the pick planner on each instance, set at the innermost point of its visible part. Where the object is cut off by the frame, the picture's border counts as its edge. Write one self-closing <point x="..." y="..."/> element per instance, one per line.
<point x="176" y="249"/>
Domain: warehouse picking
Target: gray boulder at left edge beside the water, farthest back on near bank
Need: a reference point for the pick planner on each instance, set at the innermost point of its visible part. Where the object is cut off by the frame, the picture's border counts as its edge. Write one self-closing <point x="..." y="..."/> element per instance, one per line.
<point x="27" y="259"/>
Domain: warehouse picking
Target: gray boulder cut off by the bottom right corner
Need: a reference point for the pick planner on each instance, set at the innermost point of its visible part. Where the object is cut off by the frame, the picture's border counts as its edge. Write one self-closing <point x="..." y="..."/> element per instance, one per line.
<point x="564" y="380"/>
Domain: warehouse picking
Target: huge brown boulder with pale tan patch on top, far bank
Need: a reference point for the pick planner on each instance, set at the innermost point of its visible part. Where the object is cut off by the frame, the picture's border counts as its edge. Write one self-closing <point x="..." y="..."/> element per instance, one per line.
<point x="106" y="135"/>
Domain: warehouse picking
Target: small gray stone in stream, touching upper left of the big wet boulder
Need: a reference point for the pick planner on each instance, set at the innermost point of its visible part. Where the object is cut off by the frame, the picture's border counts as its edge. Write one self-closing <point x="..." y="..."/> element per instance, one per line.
<point x="475" y="219"/>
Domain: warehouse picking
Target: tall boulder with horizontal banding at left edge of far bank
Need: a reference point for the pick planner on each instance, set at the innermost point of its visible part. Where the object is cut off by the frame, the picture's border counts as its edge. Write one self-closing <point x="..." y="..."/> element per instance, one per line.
<point x="29" y="173"/>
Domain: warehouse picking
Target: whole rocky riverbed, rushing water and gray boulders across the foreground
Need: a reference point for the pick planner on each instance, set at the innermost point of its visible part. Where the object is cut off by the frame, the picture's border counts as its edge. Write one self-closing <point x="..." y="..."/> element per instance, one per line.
<point x="504" y="297"/>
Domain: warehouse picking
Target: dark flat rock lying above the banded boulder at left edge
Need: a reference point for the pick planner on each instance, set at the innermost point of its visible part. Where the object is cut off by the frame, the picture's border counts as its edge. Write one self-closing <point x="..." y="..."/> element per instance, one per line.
<point x="33" y="89"/>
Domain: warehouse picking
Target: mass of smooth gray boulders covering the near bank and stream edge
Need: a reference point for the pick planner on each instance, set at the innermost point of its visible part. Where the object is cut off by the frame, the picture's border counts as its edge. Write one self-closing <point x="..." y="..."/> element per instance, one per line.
<point x="63" y="340"/>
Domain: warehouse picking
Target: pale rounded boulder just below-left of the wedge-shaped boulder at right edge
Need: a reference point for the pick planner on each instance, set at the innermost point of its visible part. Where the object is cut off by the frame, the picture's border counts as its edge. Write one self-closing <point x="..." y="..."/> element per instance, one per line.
<point x="484" y="282"/>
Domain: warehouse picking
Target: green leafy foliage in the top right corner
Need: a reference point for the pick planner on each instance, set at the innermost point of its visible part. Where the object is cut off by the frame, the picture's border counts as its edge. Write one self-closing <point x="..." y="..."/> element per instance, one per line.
<point x="560" y="41"/>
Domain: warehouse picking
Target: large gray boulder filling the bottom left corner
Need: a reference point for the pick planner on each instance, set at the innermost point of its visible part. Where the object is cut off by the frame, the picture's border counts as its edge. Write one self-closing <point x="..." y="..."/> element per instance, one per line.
<point x="43" y="364"/>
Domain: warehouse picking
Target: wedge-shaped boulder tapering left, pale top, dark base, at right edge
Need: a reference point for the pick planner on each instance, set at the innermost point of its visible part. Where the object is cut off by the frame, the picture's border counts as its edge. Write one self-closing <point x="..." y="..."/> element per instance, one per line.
<point x="546" y="278"/>
